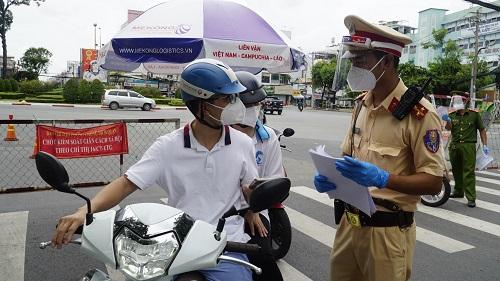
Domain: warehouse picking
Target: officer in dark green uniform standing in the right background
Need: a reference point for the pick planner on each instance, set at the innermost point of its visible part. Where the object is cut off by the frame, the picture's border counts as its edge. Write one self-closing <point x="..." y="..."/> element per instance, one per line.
<point x="464" y="124"/>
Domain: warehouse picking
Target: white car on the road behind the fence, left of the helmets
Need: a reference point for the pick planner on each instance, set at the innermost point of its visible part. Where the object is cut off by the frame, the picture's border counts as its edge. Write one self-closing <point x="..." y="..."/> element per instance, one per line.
<point x="121" y="98"/>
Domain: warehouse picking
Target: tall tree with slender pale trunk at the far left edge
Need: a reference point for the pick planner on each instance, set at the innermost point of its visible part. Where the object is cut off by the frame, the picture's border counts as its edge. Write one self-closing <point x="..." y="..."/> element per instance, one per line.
<point x="6" y="19"/>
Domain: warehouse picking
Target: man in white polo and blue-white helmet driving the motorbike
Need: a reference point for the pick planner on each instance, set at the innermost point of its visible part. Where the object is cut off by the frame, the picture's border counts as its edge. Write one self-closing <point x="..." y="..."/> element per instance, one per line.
<point x="205" y="167"/>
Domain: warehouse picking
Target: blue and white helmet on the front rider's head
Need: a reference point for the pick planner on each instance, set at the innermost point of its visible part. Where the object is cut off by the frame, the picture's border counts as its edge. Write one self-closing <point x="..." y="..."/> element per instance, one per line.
<point x="204" y="79"/>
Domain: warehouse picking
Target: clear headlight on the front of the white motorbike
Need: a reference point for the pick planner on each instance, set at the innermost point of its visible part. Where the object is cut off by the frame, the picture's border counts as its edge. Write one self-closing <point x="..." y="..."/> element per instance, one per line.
<point x="144" y="259"/>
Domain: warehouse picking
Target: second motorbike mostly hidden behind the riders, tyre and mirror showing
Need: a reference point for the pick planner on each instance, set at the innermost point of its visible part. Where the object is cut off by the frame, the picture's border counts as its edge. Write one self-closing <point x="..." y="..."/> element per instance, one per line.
<point x="281" y="229"/>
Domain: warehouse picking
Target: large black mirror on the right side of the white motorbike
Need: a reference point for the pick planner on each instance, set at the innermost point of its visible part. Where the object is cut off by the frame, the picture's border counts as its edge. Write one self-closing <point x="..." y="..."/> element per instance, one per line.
<point x="268" y="193"/>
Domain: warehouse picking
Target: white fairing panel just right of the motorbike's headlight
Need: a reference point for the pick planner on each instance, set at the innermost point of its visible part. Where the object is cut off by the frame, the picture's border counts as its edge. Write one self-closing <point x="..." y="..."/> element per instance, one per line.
<point x="200" y="249"/>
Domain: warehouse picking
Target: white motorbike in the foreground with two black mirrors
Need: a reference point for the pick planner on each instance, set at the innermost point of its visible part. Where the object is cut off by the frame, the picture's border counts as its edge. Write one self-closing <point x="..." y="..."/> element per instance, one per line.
<point x="151" y="241"/>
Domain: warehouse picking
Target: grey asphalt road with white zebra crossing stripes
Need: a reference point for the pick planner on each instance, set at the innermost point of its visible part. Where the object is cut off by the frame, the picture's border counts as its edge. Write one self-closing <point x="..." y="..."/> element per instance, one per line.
<point x="453" y="242"/>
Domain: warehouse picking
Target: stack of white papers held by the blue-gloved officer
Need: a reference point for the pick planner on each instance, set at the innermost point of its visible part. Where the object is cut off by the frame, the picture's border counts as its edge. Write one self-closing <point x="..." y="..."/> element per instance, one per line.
<point x="347" y="190"/>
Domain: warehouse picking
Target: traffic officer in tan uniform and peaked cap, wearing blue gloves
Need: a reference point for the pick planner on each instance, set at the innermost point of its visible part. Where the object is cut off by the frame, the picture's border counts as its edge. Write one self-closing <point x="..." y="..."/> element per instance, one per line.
<point x="396" y="160"/>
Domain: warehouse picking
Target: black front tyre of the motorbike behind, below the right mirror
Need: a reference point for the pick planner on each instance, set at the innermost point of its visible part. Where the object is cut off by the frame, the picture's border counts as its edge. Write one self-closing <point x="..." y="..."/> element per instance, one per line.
<point x="281" y="232"/>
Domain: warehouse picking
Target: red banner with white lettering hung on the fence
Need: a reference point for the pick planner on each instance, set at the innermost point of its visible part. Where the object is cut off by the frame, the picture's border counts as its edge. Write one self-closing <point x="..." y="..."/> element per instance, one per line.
<point x="80" y="143"/>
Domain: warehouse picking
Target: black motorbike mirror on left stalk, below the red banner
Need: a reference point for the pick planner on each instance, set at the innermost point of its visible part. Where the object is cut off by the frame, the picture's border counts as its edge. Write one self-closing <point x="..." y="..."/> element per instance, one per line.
<point x="52" y="172"/>
